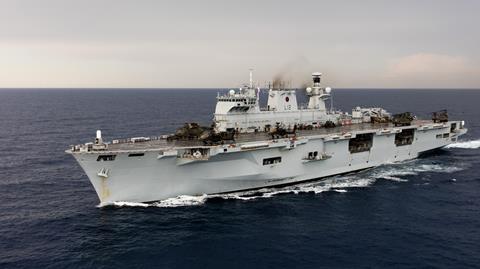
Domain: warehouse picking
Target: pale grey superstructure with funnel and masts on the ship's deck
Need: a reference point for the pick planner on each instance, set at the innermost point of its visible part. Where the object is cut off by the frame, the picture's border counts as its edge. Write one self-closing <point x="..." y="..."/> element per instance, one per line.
<point x="240" y="110"/>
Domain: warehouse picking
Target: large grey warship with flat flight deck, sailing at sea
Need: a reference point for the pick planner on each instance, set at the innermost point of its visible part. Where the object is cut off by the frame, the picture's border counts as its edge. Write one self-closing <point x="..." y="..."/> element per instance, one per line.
<point x="250" y="147"/>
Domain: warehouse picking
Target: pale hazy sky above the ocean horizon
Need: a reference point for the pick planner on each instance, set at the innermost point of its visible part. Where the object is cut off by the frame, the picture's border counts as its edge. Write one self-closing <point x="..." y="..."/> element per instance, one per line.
<point x="119" y="43"/>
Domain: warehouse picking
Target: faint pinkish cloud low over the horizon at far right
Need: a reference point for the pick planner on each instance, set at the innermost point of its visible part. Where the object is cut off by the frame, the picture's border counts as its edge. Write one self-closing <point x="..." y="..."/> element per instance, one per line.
<point x="432" y="70"/>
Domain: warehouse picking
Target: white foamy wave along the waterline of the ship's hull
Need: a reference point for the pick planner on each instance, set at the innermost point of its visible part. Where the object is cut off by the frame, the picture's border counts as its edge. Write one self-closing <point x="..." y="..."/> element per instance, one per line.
<point x="341" y="184"/>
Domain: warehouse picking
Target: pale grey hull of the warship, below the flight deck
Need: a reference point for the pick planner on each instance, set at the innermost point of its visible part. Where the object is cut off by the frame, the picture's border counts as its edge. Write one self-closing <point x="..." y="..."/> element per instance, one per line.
<point x="157" y="174"/>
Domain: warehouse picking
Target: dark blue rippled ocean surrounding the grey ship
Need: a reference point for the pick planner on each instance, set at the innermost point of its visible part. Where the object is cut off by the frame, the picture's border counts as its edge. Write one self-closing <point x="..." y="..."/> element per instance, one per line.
<point x="423" y="213"/>
